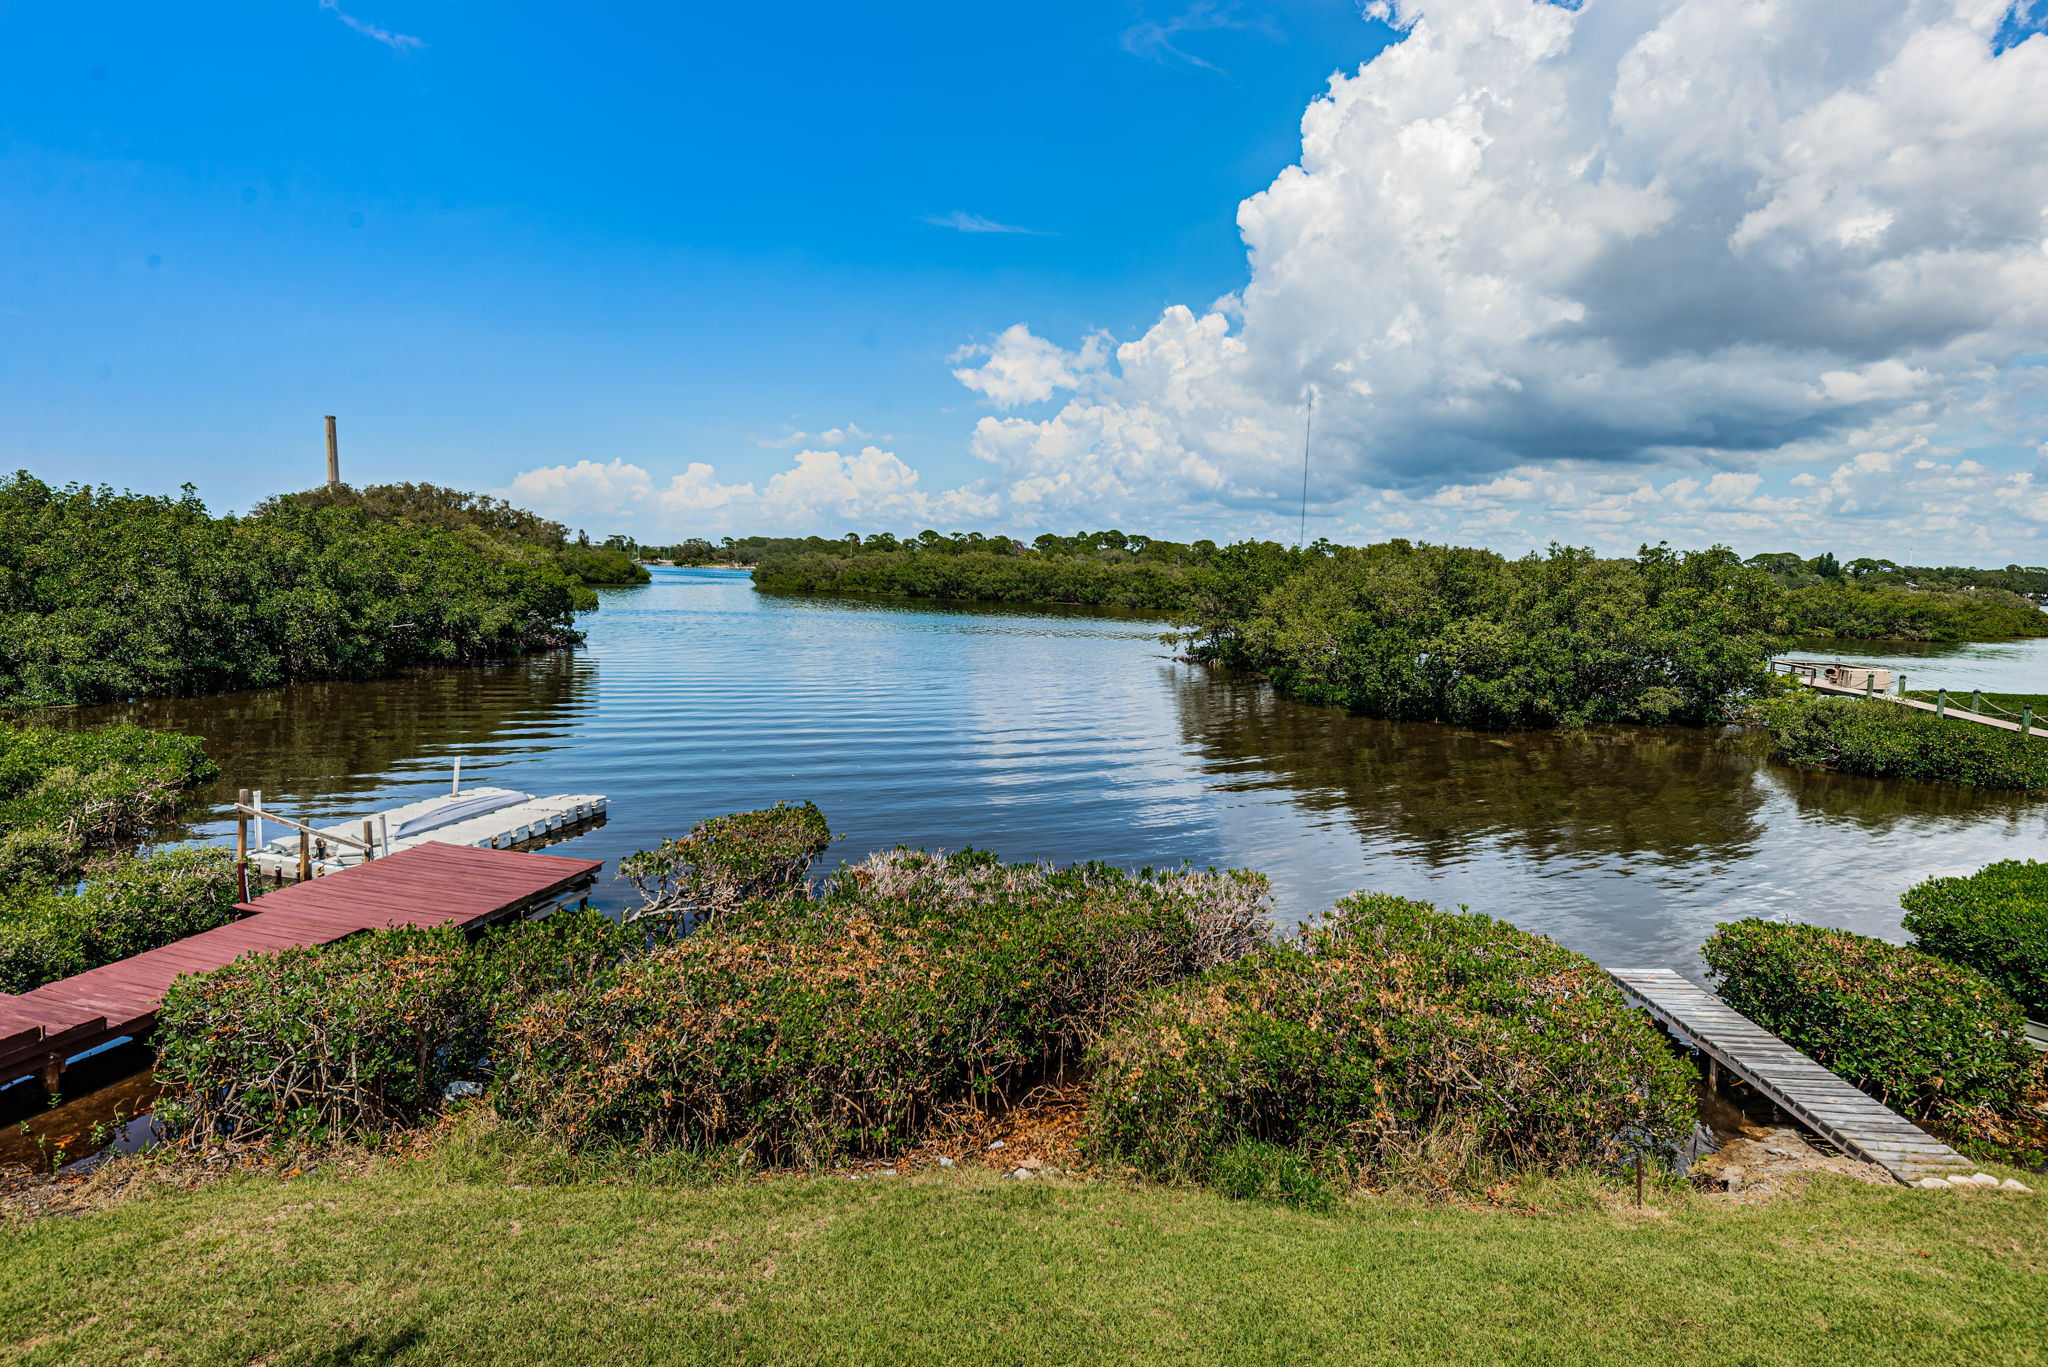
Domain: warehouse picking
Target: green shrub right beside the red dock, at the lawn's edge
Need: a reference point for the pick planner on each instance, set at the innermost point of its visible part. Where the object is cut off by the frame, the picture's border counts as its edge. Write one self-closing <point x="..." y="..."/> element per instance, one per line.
<point x="361" y="1036"/>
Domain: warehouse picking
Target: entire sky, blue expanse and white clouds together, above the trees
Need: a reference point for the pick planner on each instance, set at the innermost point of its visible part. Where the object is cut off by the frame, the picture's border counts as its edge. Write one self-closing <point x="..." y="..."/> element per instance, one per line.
<point x="1598" y="274"/>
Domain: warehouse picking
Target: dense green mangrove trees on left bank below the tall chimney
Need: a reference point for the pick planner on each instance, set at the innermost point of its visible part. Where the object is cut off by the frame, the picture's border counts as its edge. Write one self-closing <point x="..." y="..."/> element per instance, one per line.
<point x="128" y="595"/>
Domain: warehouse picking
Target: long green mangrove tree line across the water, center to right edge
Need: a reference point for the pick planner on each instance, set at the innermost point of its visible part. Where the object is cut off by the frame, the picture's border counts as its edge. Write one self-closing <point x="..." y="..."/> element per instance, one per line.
<point x="1437" y="632"/>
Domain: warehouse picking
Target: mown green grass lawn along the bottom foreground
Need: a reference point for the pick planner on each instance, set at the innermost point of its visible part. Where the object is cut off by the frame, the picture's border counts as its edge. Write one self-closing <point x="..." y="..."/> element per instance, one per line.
<point x="425" y="1264"/>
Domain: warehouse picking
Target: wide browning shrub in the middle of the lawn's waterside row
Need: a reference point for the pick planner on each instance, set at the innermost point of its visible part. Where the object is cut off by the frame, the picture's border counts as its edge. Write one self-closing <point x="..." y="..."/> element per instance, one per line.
<point x="816" y="1028"/>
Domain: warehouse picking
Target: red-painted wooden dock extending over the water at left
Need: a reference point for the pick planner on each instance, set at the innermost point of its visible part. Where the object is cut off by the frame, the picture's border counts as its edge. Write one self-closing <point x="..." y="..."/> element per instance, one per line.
<point x="421" y="886"/>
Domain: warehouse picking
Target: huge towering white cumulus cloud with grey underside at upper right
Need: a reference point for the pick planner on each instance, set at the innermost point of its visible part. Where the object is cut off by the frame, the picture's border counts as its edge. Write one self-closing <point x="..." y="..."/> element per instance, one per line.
<point x="1684" y="235"/>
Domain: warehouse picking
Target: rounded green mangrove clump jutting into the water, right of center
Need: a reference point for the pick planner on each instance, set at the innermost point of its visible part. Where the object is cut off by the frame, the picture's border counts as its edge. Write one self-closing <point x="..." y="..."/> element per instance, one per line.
<point x="1455" y="634"/>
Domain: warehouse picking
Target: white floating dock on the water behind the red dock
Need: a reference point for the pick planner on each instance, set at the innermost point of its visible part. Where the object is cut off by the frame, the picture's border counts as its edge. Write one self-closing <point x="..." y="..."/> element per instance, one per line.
<point x="493" y="819"/>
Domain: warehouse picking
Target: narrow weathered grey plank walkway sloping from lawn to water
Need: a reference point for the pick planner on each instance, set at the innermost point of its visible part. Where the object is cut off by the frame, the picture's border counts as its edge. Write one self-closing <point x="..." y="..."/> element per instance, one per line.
<point x="1822" y="1102"/>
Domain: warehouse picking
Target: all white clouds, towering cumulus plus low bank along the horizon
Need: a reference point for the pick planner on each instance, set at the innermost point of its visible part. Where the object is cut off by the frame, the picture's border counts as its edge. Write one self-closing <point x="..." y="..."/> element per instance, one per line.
<point x="1752" y="272"/>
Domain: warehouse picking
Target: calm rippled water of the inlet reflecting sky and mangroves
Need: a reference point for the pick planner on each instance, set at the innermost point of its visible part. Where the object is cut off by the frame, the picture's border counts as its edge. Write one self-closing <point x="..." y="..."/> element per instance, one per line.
<point x="1076" y="737"/>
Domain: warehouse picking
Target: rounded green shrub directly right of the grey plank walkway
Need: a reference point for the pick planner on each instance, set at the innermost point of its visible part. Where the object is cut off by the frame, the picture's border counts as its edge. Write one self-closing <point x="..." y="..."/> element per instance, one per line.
<point x="1924" y="1036"/>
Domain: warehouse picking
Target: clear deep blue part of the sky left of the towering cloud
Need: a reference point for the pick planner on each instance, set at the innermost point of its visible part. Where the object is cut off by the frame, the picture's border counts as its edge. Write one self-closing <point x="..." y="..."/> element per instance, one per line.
<point x="558" y="233"/>
